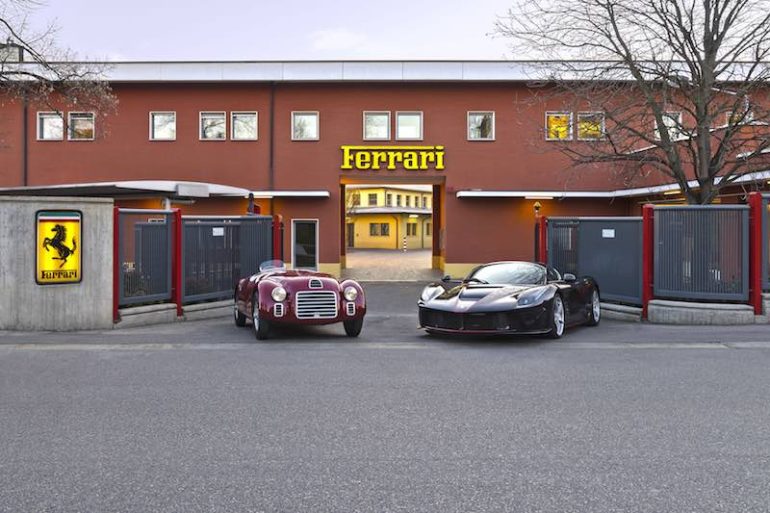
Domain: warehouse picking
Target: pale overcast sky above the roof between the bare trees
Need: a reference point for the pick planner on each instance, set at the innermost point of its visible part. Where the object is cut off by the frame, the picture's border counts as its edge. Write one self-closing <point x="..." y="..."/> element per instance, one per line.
<point x="275" y="29"/>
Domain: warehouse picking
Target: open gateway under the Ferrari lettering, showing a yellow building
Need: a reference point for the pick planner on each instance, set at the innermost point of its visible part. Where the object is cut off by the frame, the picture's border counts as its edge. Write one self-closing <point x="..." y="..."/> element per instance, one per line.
<point x="390" y="231"/>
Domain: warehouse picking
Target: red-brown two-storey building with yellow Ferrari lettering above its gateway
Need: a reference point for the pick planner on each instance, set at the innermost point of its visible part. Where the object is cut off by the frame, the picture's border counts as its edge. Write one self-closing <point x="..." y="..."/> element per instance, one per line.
<point x="279" y="130"/>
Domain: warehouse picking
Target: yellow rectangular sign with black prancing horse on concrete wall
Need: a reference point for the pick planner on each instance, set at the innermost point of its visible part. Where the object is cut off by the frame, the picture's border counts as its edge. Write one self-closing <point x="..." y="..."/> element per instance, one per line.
<point x="58" y="247"/>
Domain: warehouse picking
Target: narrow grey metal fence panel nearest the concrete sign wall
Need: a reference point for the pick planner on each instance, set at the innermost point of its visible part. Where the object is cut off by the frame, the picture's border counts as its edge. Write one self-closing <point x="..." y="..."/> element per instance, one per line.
<point x="144" y="256"/>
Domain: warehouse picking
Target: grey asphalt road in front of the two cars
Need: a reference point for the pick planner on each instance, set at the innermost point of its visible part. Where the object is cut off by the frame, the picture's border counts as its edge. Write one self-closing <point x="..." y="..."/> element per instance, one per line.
<point x="199" y="417"/>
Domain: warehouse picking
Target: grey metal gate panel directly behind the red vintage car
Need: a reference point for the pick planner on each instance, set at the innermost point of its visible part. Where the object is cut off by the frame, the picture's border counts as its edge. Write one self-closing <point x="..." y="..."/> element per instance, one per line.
<point x="217" y="251"/>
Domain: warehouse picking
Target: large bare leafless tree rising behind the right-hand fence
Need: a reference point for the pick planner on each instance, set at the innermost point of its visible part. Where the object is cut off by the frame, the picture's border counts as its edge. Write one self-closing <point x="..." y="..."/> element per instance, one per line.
<point x="680" y="86"/>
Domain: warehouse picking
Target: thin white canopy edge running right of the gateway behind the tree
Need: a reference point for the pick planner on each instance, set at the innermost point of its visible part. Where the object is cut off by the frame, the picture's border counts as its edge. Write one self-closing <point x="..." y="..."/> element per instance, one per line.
<point x="620" y="193"/>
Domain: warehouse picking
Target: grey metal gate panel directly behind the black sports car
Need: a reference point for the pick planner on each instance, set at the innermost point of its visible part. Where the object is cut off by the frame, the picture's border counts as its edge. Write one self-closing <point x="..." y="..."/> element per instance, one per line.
<point x="606" y="248"/>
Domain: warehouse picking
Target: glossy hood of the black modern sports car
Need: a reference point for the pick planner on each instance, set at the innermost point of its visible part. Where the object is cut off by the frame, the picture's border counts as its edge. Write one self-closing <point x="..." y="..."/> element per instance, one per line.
<point x="470" y="297"/>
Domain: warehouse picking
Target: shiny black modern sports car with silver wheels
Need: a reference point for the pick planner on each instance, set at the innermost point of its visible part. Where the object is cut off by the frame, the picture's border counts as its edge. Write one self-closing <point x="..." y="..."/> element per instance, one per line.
<point x="510" y="298"/>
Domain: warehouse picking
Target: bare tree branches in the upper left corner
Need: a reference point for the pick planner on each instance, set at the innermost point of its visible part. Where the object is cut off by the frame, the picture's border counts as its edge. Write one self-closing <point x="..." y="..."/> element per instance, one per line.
<point x="35" y="70"/>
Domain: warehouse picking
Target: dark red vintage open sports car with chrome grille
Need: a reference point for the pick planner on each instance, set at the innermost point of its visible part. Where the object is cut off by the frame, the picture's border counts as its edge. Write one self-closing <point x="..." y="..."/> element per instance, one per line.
<point x="276" y="295"/>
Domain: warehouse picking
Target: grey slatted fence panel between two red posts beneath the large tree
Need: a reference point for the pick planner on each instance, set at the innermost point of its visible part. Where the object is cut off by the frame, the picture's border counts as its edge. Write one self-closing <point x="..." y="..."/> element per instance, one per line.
<point x="702" y="252"/>
